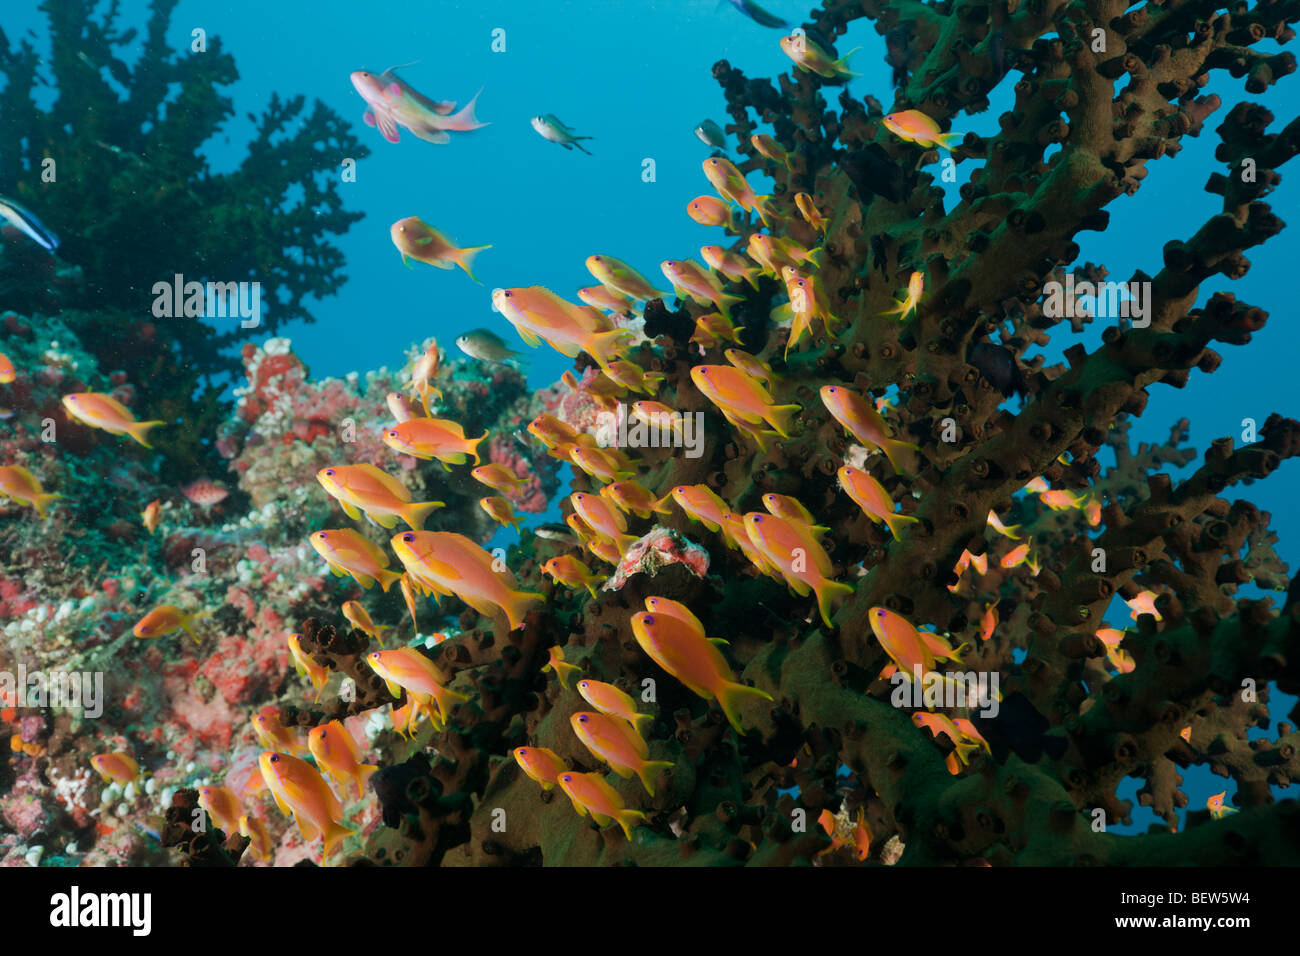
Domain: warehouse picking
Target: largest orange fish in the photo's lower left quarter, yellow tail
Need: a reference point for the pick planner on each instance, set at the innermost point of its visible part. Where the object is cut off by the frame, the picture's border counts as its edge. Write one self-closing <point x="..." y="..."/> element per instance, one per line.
<point x="452" y="564"/>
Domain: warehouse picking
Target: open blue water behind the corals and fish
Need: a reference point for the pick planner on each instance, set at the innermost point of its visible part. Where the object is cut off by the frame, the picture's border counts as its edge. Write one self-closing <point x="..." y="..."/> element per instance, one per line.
<point x="636" y="77"/>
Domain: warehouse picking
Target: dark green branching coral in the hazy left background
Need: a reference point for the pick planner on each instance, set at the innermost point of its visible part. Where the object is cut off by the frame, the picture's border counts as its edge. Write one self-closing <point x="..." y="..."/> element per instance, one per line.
<point x="115" y="166"/>
